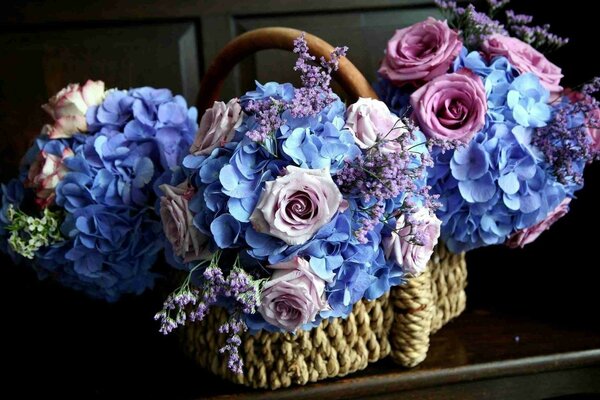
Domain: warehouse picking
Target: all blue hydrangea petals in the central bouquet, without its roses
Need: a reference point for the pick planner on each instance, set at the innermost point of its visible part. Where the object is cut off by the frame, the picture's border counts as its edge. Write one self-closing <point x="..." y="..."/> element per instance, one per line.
<point x="229" y="182"/>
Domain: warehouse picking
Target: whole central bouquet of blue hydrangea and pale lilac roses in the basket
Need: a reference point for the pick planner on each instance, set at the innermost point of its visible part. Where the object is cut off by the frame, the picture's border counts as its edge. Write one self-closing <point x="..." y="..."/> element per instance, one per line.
<point x="291" y="208"/>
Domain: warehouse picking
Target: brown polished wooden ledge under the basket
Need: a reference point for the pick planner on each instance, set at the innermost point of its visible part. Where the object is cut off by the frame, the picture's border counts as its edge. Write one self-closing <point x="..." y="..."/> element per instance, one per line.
<point x="481" y="354"/>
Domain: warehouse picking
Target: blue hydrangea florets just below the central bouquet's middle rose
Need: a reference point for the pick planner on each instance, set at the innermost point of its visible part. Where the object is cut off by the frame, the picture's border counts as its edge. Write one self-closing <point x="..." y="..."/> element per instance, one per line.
<point x="351" y="269"/>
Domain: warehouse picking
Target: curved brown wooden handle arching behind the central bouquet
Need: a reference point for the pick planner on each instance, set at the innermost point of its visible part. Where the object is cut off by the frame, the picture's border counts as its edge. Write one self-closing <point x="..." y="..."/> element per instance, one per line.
<point x="348" y="76"/>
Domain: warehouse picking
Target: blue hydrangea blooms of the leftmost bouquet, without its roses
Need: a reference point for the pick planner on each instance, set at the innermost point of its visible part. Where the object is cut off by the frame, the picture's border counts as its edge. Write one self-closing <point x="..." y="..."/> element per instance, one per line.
<point x="111" y="233"/>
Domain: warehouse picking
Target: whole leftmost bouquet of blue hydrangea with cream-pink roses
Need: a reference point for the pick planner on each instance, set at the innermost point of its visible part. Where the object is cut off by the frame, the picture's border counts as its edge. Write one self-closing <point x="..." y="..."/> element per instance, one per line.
<point x="82" y="209"/>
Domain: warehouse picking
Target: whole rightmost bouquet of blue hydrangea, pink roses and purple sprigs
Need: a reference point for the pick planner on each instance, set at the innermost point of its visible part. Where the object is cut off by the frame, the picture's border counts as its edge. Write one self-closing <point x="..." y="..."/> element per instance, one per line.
<point x="525" y="139"/>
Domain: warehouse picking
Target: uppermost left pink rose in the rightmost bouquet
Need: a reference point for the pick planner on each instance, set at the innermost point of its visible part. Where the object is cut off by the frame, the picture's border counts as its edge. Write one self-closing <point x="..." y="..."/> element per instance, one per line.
<point x="420" y="52"/>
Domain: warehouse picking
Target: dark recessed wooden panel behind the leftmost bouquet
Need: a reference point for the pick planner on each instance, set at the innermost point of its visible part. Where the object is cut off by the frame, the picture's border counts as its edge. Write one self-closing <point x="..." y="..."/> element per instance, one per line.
<point x="36" y="65"/>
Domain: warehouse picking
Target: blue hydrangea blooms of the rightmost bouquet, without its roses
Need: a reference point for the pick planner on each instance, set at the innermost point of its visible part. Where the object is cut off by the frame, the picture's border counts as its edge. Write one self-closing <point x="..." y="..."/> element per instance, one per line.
<point x="499" y="182"/>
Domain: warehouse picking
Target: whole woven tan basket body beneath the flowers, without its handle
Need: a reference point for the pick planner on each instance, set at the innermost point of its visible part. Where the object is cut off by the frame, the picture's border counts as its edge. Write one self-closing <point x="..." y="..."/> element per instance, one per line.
<point x="399" y="323"/>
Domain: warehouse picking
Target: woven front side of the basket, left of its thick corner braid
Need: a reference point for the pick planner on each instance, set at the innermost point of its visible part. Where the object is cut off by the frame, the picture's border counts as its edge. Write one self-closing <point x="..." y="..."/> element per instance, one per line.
<point x="335" y="348"/>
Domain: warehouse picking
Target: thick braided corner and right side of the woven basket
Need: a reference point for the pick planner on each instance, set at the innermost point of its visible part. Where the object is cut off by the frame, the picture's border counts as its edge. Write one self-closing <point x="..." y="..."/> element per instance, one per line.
<point x="424" y="304"/>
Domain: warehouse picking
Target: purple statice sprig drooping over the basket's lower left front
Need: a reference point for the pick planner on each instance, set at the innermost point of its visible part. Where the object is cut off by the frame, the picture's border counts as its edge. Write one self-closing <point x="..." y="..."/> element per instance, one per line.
<point x="240" y="291"/>
